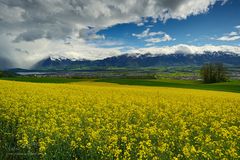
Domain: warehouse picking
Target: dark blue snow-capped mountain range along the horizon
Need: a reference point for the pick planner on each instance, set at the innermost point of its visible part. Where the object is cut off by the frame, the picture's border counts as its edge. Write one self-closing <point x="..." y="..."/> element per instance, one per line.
<point x="140" y="60"/>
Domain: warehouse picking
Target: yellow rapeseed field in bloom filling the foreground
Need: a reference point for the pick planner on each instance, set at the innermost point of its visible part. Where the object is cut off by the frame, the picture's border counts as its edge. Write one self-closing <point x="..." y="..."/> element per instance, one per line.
<point x="91" y="121"/>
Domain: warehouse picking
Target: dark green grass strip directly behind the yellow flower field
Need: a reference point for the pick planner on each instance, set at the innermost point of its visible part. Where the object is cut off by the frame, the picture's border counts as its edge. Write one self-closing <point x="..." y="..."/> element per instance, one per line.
<point x="231" y="86"/>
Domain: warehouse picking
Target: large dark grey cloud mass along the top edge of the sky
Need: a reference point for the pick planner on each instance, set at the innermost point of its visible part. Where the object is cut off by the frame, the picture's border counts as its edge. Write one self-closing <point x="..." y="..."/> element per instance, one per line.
<point x="70" y="16"/>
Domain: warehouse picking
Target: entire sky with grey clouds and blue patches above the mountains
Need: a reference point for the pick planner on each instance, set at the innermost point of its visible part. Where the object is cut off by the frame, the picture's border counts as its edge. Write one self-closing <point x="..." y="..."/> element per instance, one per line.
<point x="31" y="30"/>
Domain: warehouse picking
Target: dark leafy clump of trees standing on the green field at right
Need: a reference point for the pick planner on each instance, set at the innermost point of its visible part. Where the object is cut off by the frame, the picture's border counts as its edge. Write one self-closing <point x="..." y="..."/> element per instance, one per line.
<point x="213" y="72"/>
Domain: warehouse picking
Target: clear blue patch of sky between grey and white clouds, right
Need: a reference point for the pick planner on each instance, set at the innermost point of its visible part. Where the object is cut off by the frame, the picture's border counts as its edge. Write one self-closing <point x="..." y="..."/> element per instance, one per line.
<point x="198" y="30"/>
